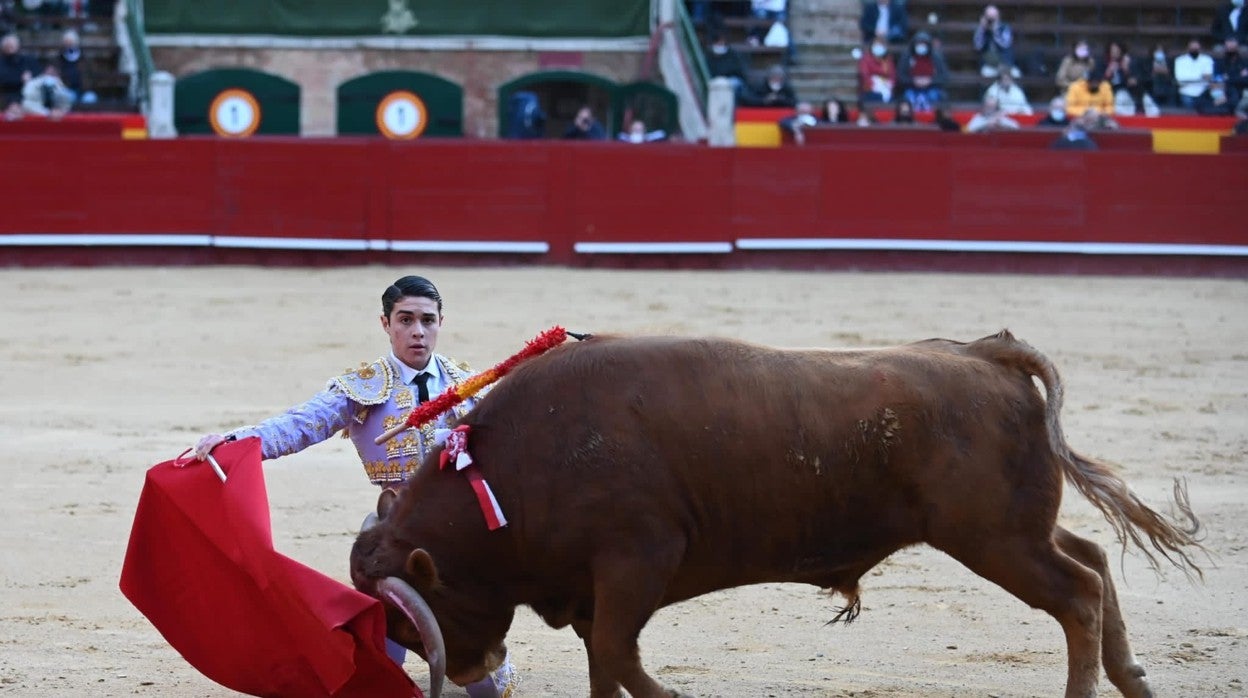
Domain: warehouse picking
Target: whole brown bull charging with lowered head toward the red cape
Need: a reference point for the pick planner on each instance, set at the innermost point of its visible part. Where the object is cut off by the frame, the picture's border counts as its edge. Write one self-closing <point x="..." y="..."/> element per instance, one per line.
<point x="641" y="473"/>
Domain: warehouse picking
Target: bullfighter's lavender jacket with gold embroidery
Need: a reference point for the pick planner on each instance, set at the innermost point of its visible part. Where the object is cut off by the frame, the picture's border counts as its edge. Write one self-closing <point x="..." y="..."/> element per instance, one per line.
<point x="363" y="404"/>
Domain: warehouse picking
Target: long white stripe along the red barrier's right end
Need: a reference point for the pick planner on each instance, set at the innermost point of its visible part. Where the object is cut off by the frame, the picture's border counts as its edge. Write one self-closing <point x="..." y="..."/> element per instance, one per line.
<point x="811" y="244"/>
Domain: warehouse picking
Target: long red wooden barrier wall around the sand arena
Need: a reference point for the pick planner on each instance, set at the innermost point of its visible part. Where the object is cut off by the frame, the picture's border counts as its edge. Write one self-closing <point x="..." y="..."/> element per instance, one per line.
<point x="566" y="194"/>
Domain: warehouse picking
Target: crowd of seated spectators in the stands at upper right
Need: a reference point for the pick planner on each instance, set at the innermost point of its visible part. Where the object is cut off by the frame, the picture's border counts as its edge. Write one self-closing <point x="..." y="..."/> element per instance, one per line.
<point x="907" y="71"/>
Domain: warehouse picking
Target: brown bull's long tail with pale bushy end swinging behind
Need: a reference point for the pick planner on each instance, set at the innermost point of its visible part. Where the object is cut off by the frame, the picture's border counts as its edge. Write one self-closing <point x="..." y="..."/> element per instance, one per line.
<point x="1131" y="519"/>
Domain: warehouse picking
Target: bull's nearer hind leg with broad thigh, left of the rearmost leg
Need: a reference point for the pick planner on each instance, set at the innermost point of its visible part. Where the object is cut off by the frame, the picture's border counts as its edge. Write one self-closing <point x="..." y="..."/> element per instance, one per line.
<point x="1046" y="579"/>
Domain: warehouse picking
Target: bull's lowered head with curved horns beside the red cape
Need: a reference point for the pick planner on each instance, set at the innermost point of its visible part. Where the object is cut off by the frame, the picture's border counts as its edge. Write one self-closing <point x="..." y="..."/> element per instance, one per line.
<point x="388" y="565"/>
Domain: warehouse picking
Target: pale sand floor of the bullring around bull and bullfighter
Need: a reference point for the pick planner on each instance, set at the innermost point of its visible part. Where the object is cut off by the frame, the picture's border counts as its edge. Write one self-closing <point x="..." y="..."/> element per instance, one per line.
<point x="109" y="371"/>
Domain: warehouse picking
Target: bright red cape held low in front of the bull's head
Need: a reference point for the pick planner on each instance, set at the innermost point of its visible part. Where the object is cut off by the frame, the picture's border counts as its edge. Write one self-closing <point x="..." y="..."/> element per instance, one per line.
<point x="203" y="569"/>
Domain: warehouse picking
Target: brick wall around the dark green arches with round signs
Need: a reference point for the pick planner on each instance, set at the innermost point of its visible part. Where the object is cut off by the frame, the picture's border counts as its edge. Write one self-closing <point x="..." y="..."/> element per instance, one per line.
<point x="320" y="72"/>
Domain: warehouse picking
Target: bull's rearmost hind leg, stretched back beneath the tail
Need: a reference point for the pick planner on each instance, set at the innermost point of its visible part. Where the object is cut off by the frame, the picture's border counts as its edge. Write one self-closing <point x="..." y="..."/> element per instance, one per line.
<point x="1120" y="664"/>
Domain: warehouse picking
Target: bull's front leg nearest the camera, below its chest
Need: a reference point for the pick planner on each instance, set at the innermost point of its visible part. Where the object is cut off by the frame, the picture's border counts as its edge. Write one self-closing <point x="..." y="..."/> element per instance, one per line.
<point x="623" y="602"/>
